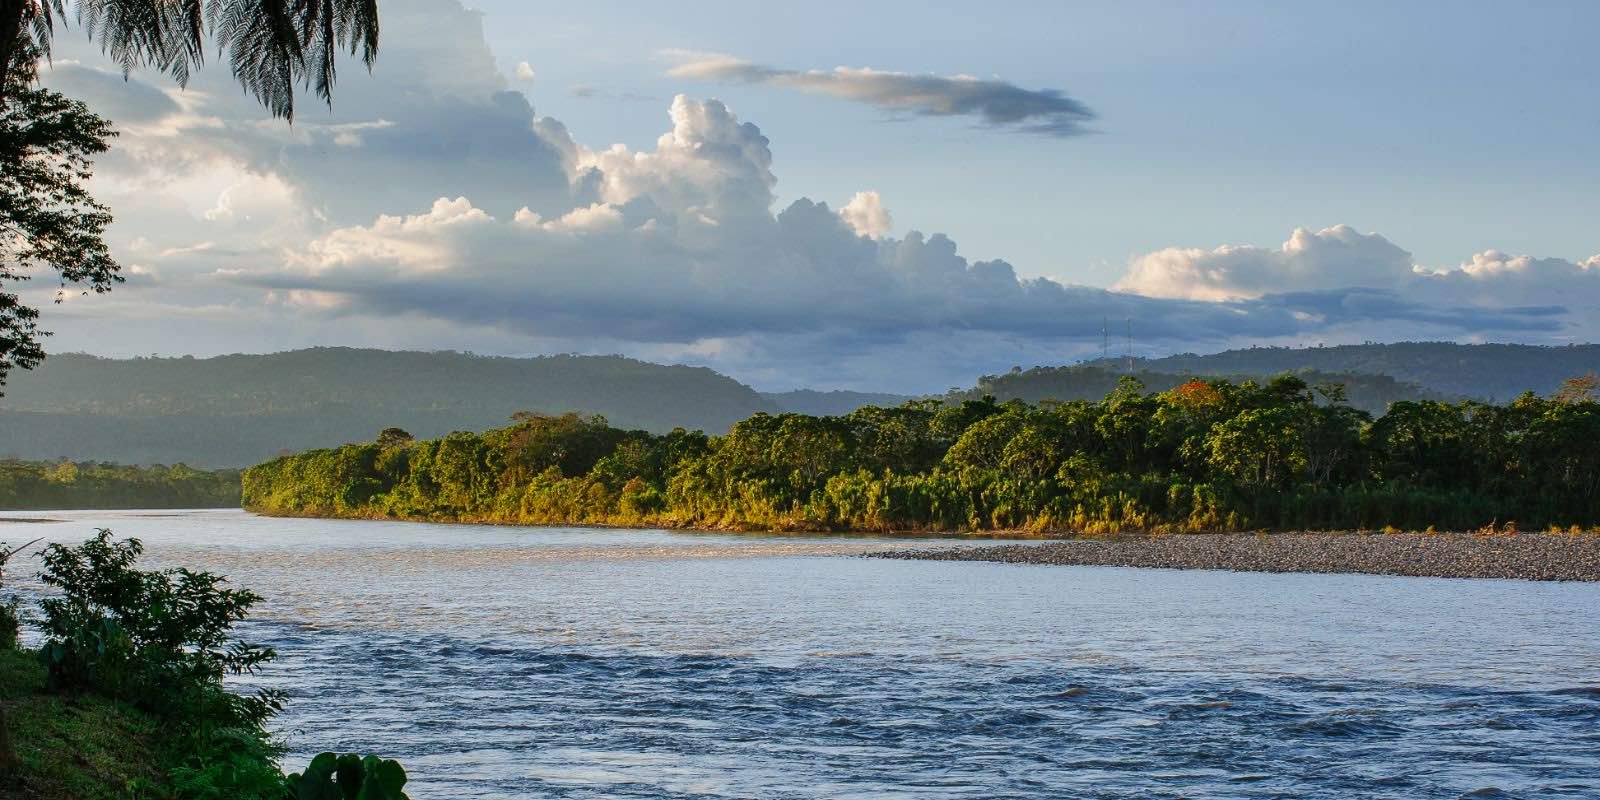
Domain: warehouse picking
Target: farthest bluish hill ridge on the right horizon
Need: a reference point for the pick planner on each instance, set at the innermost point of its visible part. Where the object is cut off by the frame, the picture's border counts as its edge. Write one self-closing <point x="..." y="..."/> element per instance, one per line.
<point x="1486" y="372"/>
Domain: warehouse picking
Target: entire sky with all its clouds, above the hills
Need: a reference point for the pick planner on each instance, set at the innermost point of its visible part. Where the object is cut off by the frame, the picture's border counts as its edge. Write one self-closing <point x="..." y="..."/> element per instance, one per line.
<point x="868" y="196"/>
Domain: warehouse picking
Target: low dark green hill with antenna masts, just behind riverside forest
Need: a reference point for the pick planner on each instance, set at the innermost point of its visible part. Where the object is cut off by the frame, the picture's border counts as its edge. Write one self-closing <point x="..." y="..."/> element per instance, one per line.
<point x="1369" y="393"/>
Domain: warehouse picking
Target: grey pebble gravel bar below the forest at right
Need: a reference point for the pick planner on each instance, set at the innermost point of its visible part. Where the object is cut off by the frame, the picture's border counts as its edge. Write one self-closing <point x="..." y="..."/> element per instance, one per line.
<point x="1524" y="556"/>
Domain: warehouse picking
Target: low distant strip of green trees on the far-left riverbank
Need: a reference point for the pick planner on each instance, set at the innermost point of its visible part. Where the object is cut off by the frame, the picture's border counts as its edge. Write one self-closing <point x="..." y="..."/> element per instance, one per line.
<point x="41" y="486"/>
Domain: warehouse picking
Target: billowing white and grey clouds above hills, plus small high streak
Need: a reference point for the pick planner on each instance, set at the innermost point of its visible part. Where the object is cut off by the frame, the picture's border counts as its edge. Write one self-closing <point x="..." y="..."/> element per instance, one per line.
<point x="436" y="209"/>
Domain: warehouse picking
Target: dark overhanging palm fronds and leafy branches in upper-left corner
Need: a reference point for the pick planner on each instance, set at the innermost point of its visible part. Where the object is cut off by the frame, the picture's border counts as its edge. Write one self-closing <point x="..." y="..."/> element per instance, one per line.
<point x="47" y="142"/>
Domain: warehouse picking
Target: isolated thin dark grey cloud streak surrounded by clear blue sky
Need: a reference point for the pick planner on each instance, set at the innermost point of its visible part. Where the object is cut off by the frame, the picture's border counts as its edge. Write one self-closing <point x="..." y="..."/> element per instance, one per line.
<point x="996" y="103"/>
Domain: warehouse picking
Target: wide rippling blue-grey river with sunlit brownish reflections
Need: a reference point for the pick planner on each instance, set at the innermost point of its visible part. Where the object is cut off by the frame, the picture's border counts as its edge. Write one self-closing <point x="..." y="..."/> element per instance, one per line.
<point x="508" y="663"/>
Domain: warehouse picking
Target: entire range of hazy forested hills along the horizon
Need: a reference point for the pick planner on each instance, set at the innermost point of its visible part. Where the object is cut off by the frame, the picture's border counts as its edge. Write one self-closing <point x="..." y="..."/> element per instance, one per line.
<point x="239" y="410"/>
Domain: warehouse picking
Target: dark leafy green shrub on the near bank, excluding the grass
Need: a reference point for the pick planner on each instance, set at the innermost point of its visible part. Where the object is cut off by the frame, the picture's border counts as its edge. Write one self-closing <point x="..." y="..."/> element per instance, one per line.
<point x="162" y="642"/>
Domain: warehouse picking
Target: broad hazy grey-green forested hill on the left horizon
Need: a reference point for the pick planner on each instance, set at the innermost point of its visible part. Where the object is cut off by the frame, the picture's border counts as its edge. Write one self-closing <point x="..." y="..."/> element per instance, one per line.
<point x="239" y="410"/>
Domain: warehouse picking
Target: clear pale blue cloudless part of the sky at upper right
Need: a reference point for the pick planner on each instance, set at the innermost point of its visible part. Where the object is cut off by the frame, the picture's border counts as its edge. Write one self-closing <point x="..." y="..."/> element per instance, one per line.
<point x="1446" y="126"/>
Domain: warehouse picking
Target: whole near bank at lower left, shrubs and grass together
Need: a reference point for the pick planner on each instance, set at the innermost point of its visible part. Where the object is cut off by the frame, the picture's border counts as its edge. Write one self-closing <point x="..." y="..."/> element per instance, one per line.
<point x="126" y="698"/>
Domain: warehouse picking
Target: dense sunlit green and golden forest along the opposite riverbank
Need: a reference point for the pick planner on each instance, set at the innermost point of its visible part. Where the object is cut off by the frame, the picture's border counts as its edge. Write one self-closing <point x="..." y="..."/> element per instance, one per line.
<point x="1206" y="457"/>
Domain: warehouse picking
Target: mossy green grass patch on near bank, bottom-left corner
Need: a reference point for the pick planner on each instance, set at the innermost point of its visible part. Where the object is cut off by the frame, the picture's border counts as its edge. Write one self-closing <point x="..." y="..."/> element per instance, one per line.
<point x="81" y="748"/>
